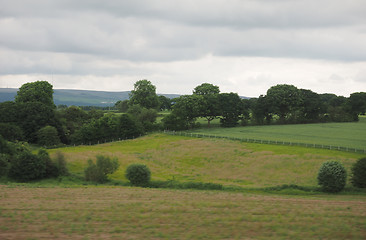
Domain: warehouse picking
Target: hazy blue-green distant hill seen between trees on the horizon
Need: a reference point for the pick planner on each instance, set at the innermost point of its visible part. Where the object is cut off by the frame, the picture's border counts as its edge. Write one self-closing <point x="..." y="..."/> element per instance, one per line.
<point x="78" y="97"/>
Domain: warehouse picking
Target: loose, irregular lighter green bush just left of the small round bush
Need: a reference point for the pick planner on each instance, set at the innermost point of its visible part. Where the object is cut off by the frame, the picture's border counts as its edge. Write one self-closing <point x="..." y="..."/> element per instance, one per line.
<point x="98" y="172"/>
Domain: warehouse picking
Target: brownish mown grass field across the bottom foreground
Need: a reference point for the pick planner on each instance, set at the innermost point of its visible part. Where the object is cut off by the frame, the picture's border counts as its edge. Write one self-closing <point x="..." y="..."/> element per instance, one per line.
<point x="136" y="213"/>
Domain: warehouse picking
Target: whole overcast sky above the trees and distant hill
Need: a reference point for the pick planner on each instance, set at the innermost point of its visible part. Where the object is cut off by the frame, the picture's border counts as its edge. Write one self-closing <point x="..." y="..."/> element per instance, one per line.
<point x="241" y="46"/>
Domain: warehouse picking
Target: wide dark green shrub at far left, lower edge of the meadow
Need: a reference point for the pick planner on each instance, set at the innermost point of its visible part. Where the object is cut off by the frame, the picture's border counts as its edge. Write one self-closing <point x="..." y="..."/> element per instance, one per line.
<point x="26" y="166"/>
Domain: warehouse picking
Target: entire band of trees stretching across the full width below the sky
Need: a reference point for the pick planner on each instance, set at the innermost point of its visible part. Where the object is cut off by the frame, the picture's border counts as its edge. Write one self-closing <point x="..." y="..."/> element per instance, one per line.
<point x="34" y="118"/>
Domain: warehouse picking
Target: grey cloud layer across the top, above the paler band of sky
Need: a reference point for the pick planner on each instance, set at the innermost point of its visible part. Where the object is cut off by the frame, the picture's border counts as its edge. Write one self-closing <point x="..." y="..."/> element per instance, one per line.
<point x="175" y="30"/>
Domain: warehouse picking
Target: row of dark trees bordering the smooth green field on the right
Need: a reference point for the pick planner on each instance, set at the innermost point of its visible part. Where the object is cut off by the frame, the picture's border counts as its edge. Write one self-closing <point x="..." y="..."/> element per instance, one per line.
<point x="283" y="104"/>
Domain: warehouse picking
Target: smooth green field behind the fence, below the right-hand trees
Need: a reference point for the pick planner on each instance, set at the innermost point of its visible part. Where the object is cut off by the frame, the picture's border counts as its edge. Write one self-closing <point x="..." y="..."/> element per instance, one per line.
<point x="351" y="134"/>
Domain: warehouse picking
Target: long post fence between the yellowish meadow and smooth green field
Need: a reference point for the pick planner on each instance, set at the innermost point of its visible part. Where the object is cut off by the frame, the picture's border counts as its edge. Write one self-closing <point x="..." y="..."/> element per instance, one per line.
<point x="250" y="140"/>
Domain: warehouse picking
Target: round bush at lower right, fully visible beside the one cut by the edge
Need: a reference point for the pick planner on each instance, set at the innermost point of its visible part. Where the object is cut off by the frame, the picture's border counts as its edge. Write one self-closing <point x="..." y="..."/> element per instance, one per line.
<point x="332" y="176"/>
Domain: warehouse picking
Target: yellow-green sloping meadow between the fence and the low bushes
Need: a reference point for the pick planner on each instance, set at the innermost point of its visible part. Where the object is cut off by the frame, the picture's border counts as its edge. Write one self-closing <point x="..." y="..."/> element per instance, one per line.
<point x="208" y="160"/>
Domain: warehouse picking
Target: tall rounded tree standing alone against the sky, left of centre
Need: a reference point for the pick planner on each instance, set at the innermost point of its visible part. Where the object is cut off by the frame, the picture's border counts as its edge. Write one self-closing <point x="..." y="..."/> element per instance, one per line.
<point x="144" y="94"/>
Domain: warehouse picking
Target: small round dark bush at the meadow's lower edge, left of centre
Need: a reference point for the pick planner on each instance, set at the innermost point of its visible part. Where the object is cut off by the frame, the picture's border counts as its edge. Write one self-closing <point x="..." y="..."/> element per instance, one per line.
<point x="138" y="174"/>
